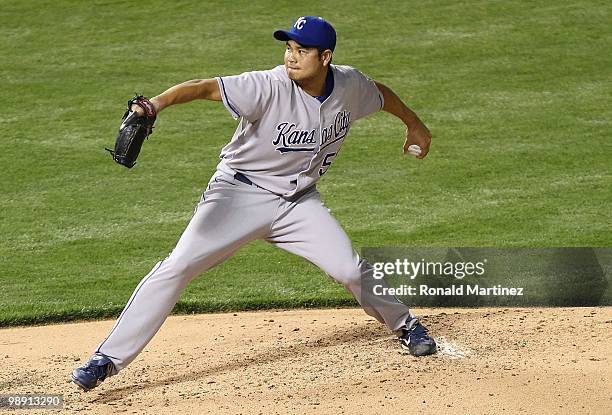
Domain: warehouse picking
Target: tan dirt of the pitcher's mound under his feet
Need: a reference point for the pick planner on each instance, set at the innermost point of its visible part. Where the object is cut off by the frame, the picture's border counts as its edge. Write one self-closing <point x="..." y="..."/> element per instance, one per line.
<point x="339" y="361"/>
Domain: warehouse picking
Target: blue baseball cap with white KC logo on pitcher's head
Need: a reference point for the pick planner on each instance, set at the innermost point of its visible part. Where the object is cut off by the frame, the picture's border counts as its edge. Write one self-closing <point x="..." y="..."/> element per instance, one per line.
<point x="310" y="31"/>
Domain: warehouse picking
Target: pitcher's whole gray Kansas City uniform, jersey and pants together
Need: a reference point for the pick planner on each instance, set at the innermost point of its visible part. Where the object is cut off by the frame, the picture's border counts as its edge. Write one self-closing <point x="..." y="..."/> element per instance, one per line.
<point x="284" y="143"/>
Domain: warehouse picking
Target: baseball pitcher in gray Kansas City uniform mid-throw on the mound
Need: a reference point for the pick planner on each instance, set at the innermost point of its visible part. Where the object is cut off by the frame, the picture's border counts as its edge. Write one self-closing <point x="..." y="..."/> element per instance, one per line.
<point x="293" y="120"/>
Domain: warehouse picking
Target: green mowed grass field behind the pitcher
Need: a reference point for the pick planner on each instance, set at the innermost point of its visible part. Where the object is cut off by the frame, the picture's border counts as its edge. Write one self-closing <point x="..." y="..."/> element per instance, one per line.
<point x="516" y="93"/>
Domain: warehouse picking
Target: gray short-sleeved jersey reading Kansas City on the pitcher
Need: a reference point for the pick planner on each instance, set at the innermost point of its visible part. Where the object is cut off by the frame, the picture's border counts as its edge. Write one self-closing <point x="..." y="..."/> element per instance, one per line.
<point x="286" y="139"/>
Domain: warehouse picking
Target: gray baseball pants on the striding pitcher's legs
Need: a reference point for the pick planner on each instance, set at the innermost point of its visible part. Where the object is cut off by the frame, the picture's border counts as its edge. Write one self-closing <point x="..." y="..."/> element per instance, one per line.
<point x="229" y="215"/>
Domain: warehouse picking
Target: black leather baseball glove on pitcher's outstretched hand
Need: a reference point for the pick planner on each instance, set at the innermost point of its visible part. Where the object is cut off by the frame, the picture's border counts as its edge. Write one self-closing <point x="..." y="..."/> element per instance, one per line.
<point x="133" y="131"/>
